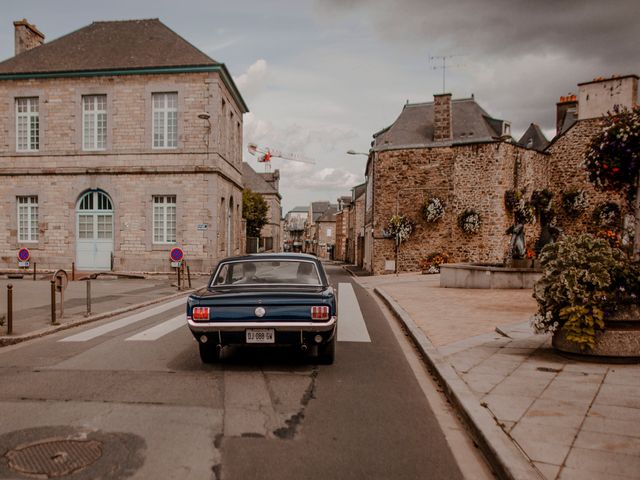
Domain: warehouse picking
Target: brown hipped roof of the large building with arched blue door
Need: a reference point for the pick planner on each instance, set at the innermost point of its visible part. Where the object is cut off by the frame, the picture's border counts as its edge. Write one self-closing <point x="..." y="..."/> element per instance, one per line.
<point x="111" y="45"/>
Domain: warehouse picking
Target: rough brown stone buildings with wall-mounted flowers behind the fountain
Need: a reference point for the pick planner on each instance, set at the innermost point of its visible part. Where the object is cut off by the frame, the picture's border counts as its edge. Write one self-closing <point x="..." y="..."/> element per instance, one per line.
<point x="453" y="150"/>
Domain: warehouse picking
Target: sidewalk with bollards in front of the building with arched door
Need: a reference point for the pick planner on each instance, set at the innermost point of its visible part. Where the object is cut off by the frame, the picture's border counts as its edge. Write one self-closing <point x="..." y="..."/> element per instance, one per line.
<point x="110" y="296"/>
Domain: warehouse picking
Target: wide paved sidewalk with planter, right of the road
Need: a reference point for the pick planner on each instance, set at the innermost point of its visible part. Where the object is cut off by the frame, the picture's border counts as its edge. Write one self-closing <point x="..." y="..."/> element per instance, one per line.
<point x="536" y="414"/>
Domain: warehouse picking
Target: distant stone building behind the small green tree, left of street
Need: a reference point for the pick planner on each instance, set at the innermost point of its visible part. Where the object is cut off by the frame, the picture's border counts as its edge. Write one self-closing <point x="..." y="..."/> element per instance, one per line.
<point x="267" y="184"/>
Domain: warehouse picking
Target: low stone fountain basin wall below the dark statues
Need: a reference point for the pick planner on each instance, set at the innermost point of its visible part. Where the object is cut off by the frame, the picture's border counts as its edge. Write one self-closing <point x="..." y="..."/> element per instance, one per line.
<point x="469" y="275"/>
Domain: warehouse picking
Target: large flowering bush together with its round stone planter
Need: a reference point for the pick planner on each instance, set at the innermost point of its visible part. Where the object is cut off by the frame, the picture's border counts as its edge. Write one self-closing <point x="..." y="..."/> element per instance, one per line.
<point x="585" y="289"/>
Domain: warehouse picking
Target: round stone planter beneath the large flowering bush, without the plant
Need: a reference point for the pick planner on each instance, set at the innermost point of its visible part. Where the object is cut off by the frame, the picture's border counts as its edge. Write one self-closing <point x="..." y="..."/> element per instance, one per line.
<point x="620" y="339"/>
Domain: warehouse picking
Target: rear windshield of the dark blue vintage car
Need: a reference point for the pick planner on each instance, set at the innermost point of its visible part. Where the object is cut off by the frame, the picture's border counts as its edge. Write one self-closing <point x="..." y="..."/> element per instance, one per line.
<point x="266" y="272"/>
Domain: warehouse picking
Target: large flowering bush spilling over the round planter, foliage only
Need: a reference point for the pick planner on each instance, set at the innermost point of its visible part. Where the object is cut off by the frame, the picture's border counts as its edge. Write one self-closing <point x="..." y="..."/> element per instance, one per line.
<point x="584" y="280"/>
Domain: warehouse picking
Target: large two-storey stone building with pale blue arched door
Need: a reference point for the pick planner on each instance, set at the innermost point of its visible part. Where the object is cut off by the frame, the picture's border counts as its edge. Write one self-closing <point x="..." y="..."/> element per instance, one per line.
<point x="118" y="141"/>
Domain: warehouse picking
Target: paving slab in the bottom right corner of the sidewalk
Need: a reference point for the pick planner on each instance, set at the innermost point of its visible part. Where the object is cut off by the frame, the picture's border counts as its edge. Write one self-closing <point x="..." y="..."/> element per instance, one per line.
<point x="604" y="462"/>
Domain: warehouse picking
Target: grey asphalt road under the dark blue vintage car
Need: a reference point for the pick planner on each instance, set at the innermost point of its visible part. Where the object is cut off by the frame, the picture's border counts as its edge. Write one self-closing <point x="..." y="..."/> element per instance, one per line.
<point x="140" y="397"/>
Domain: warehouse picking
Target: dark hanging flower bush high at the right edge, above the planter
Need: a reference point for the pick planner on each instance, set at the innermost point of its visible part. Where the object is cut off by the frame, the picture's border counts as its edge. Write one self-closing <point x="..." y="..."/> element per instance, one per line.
<point x="612" y="158"/>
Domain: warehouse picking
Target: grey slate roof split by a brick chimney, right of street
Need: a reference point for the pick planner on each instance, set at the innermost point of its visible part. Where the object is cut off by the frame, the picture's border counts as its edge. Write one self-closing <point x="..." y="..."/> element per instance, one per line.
<point x="414" y="126"/>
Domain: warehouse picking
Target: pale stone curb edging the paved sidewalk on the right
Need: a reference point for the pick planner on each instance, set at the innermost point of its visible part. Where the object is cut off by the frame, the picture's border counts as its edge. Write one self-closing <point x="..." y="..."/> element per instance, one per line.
<point x="504" y="456"/>
